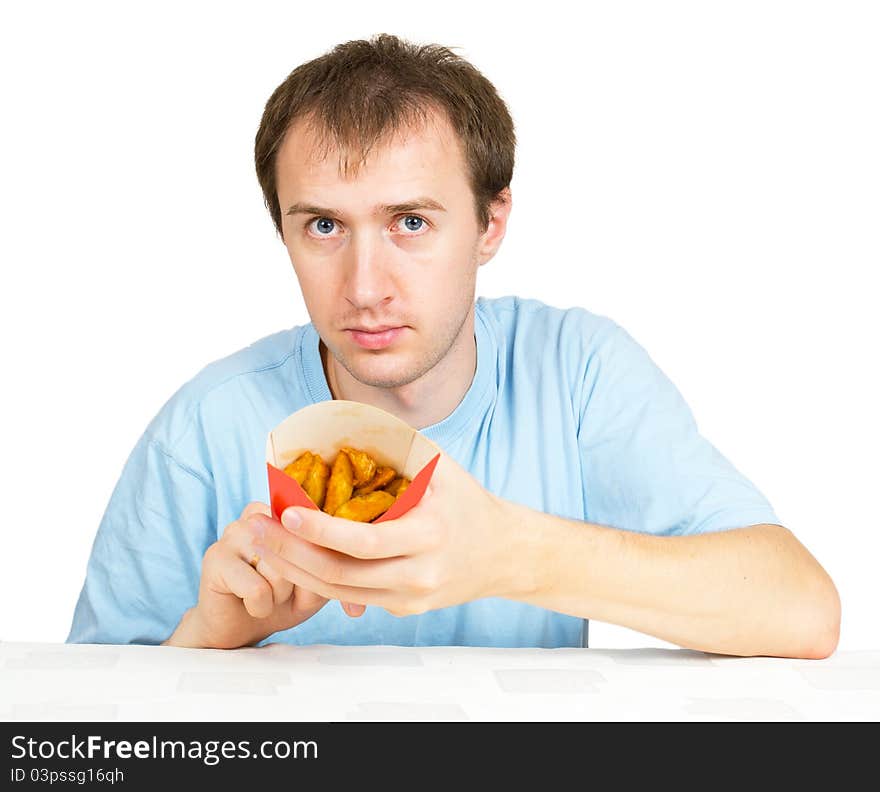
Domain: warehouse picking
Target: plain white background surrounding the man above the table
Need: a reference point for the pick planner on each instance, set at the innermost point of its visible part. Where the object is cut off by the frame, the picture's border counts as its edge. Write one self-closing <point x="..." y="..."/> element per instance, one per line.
<point x="704" y="173"/>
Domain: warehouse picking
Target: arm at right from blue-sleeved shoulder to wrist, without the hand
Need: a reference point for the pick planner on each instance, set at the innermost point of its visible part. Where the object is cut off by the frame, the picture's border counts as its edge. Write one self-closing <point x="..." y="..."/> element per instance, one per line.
<point x="680" y="567"/>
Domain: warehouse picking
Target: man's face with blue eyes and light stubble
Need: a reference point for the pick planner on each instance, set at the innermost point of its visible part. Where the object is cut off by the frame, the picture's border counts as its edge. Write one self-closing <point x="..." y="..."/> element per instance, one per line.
<point x="397" y="245"/>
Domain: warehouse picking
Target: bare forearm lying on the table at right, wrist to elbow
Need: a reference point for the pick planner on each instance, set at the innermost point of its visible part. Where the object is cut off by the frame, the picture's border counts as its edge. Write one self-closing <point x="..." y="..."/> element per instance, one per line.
<point x="750" y="591"/>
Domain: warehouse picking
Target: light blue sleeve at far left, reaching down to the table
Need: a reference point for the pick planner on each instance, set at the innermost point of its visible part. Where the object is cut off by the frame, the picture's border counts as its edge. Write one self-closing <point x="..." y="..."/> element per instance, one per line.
<point x="145" y="563"/>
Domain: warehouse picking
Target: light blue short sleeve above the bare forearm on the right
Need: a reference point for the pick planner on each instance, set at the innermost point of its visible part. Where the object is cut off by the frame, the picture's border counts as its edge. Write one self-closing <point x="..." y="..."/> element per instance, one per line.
<point x="645" y="465"/>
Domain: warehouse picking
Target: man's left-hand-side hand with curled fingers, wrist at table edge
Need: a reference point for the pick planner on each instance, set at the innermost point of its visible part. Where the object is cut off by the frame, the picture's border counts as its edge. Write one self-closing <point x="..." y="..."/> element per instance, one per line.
<point x="242" y="600"/>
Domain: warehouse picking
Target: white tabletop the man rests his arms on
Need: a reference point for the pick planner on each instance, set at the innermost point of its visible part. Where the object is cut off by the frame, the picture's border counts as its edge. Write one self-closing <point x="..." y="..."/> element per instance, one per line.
<point x="58" y="682"/>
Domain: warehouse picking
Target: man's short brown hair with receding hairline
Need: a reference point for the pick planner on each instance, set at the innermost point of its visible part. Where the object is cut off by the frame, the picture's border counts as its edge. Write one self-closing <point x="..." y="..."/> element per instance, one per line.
<point x="362" y="92"/>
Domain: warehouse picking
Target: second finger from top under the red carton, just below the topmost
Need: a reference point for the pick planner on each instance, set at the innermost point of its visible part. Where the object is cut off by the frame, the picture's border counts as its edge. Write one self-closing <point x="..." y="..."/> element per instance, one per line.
<point x="333" y="567"/>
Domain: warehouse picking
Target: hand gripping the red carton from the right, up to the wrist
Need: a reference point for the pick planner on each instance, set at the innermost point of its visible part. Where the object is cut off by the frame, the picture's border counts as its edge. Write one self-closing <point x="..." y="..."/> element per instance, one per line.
<point x="452" y="547"/>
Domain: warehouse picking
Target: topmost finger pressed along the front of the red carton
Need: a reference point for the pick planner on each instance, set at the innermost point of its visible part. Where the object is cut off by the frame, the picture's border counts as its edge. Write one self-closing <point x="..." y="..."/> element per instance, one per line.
<point x="359" y="540"/>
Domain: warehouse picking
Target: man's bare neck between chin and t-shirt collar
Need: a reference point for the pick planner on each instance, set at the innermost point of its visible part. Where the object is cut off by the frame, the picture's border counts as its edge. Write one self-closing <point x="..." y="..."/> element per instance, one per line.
<point x="422" y="402"/>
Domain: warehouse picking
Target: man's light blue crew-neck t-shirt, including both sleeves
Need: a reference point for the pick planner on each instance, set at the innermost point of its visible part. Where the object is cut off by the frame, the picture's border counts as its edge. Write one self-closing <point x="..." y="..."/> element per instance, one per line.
<point x="566" y="414"/>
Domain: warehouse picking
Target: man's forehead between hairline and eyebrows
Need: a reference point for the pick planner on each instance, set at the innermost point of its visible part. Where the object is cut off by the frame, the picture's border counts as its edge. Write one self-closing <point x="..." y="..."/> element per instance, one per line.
<point x="423" y="158"/>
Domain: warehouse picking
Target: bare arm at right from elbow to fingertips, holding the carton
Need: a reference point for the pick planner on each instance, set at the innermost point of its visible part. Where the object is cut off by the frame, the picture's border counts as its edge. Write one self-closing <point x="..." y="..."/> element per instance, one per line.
<point x="745" y="591"/>
